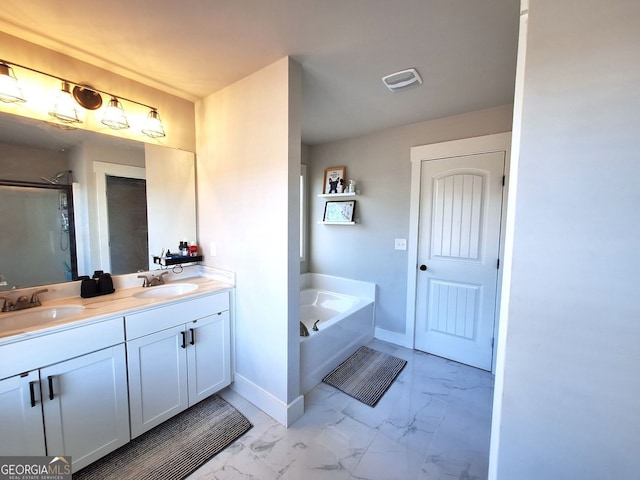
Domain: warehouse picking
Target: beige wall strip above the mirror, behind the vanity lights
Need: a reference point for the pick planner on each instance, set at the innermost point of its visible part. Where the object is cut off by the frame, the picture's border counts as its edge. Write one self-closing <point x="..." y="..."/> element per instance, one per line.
<point x="176" y="113"/>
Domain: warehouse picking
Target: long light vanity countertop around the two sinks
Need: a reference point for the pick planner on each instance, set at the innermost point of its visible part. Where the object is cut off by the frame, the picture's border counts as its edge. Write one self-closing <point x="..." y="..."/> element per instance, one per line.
<point x="120" y="303"/>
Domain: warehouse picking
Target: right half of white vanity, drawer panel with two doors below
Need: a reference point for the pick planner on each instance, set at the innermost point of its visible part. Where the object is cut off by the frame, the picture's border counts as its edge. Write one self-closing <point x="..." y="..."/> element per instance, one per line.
<point x="177" y="355"/>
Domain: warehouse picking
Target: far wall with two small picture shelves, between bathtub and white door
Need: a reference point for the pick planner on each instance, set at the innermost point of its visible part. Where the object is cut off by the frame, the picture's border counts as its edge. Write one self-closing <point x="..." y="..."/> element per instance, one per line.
<point x="380" y="165"/>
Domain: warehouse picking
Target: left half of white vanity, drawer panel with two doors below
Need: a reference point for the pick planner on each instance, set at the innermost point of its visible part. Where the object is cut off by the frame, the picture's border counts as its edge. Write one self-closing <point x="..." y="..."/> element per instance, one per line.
<point x="71" y="398"/>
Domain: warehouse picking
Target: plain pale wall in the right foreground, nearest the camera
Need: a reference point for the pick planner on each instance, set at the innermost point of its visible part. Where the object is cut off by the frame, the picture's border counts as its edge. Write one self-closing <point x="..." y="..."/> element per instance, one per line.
<point x="567" y="387"/>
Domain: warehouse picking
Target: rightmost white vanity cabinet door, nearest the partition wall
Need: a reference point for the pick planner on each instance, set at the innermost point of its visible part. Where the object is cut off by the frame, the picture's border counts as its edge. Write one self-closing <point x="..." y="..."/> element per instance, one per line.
<point x="208" y="356"/>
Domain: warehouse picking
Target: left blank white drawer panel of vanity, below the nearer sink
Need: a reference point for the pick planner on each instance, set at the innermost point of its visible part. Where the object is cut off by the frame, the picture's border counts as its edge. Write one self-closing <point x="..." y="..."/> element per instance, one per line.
<point x="58" y="346"/>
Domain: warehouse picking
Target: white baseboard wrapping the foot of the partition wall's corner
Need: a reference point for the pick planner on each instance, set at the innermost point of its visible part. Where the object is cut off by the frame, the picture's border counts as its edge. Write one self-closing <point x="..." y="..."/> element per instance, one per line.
<point x="282" y="413"/>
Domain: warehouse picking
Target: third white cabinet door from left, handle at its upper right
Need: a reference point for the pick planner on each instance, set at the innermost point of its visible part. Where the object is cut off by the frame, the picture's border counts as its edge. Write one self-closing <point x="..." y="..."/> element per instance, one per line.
<point x="157" y="378"/>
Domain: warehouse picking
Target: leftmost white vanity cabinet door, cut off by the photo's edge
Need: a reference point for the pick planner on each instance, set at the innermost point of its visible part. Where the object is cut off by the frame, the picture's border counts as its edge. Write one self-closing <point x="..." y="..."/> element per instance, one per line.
<point x="21" y="416"/>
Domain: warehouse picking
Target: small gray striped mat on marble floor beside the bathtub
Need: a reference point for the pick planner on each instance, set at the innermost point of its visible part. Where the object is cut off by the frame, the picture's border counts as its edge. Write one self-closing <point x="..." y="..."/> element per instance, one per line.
<point x="366" y="375"/>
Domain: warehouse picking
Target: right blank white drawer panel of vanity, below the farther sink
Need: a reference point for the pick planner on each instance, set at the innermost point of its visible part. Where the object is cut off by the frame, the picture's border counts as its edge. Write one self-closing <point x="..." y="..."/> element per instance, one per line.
<point x="156" y="319"/>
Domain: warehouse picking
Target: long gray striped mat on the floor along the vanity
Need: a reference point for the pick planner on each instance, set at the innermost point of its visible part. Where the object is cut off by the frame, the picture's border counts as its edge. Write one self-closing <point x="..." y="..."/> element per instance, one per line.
<point x="175" y="448"/>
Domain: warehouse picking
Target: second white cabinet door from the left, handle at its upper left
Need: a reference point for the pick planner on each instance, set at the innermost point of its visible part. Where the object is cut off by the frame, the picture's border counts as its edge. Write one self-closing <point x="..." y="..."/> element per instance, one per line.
<point x="85" y="405"/>
